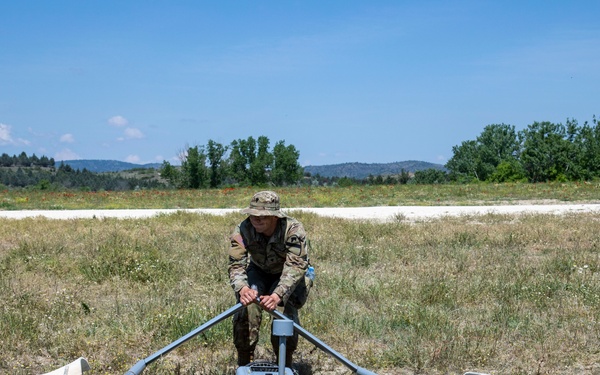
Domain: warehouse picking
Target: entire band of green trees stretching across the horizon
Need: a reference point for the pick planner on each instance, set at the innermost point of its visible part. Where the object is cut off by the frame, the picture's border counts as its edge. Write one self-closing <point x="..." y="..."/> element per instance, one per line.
<point x="542" y="152"/>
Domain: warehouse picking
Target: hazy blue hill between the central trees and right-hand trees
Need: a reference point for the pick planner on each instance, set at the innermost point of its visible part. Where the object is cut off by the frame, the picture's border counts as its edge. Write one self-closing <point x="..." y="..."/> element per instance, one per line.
<point x="363" y="170"/>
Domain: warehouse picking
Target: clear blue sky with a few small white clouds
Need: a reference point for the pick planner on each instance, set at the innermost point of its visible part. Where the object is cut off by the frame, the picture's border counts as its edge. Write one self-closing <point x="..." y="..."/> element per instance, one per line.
<point x="342" y="81"/>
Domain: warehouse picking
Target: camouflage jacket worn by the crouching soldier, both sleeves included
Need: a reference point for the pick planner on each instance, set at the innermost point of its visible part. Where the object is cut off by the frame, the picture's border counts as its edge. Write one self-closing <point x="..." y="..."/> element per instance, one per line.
<point x="285" y="253"/>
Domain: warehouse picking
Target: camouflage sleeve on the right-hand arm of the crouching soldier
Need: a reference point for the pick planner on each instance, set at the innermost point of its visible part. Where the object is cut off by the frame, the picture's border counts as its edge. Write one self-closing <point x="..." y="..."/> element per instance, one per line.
<point x="296" y="261"/>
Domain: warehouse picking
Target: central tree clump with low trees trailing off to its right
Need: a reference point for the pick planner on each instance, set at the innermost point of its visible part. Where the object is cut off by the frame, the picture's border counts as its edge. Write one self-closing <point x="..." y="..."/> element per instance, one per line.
<point x="250" y="162"/>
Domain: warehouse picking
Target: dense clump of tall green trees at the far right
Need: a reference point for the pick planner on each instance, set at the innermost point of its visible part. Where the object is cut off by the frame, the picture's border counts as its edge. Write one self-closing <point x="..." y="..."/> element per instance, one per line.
<point x="542" y="152"/>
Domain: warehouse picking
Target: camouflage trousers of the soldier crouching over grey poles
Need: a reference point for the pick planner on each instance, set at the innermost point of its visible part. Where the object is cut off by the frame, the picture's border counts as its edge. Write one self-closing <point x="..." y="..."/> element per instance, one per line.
<point x="247" y="321"/>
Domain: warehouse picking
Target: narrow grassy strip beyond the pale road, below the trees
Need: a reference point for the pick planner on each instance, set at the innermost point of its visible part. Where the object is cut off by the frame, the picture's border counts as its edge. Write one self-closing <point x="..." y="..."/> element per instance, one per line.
<point x="310" y="197"/>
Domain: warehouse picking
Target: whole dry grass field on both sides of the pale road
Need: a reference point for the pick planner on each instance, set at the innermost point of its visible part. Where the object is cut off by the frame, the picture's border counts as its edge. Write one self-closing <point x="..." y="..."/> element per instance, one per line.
<point x="490" y="293"/>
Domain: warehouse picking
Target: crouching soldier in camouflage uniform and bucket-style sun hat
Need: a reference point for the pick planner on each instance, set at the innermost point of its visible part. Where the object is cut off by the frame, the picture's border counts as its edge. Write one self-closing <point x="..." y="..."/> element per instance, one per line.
<point x="268" y="251"/>
